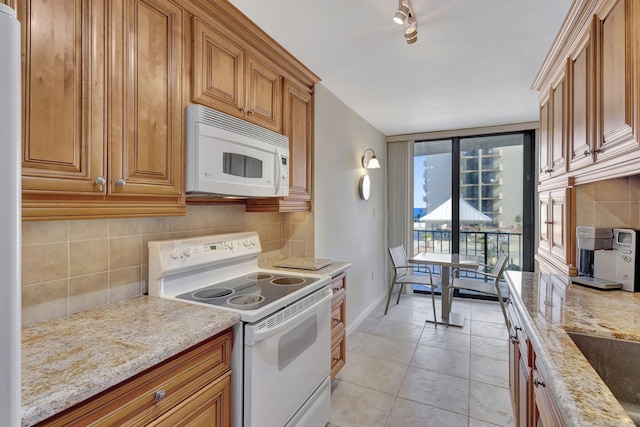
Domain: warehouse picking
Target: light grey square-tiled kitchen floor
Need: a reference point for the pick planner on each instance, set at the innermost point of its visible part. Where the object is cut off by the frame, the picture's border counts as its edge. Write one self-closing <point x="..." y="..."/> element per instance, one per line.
<point x="403" y="372"/>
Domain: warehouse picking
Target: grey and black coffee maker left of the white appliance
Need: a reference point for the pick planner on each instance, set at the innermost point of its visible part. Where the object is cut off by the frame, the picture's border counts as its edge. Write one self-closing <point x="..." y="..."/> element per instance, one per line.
<point x="597" y="261"/>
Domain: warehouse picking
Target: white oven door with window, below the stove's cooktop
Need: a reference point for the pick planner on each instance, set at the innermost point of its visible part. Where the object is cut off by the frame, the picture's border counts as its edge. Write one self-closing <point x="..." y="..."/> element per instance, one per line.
<point x="286" y="359"/>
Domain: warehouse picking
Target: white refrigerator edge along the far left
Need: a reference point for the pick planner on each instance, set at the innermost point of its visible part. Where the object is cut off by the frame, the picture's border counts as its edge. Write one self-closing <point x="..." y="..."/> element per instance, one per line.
<point x="10" y="218"/>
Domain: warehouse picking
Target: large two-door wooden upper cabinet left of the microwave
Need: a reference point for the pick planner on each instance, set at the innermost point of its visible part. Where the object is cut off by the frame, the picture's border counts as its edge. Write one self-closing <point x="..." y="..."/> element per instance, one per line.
<point x="102" y="108"/>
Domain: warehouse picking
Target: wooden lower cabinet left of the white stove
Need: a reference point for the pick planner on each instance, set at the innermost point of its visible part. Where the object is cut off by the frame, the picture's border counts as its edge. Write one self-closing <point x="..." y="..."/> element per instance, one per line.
<point x="192" y="388"/>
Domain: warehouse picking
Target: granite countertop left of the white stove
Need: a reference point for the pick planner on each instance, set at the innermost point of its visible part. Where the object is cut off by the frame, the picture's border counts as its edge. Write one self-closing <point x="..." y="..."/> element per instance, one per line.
<point x="67" y="360"/>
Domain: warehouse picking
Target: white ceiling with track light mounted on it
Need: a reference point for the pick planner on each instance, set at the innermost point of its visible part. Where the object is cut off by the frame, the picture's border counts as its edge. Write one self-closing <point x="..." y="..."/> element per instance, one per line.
<point x="472" y="66"/>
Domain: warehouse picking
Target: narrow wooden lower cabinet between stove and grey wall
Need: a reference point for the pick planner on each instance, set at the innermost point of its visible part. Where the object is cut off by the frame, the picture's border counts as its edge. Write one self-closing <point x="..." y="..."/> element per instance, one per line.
<point x="338" y="322"/>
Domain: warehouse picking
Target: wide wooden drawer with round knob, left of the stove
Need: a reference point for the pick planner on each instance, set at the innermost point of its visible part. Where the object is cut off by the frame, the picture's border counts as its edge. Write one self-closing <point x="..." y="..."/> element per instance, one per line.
<point x="134" y="402"/>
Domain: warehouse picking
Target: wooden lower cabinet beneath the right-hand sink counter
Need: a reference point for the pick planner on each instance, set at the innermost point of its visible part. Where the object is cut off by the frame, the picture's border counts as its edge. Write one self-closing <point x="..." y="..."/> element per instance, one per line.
<point x="532" y="401"/>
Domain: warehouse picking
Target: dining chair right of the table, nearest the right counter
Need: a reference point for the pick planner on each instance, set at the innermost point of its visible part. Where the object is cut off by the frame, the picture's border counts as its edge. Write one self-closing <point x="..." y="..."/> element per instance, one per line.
<point x="484" y="286"/>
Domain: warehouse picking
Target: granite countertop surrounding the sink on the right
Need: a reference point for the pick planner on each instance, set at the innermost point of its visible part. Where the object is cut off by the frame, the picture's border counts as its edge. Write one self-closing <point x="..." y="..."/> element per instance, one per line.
<point x="550" y="306"/>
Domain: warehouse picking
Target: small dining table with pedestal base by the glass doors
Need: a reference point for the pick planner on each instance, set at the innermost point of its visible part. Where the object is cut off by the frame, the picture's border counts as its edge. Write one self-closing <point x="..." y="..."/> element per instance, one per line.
<point x="446" y="262"/>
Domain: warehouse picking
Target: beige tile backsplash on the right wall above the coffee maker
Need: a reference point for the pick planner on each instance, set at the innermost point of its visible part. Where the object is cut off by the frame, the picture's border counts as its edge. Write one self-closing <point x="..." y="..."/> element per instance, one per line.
<point x="612" y="203"/>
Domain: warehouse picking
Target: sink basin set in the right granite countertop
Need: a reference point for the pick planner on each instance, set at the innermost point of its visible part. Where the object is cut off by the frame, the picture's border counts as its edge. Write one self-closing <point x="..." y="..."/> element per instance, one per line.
<point x="618" y="364"/>
